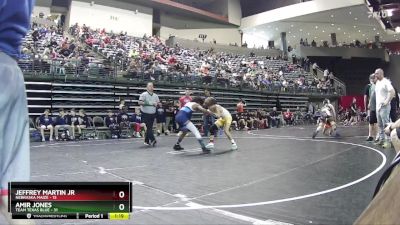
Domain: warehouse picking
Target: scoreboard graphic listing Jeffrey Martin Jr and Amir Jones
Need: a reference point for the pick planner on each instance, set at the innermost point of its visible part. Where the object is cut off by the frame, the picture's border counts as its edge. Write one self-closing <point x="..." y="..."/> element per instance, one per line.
<point x="70" y="200"/>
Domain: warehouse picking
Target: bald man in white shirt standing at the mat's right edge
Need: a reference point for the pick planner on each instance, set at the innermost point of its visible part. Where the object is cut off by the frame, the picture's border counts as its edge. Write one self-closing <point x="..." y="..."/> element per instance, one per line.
<point x="384" y="92"/>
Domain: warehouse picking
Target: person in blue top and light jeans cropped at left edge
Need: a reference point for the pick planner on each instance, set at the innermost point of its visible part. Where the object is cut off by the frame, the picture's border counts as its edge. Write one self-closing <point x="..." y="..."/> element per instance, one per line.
<point x="15" y="18"/>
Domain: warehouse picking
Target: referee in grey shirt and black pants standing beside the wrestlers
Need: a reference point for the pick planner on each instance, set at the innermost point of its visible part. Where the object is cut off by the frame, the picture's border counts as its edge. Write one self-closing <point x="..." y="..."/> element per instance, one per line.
<point x="148" y="102"/>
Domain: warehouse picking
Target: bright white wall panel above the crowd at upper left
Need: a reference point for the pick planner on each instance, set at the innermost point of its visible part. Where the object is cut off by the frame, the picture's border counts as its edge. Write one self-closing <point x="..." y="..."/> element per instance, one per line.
<point x="112" y="15"/>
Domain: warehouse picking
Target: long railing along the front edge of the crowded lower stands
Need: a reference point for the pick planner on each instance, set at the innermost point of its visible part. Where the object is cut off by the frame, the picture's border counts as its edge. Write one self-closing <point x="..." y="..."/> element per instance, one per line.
<point x="78" y="69"/>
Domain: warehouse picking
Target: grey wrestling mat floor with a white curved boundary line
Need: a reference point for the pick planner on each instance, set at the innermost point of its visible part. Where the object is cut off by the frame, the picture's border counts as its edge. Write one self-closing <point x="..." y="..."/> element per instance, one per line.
<point x="281" y="175"/>
